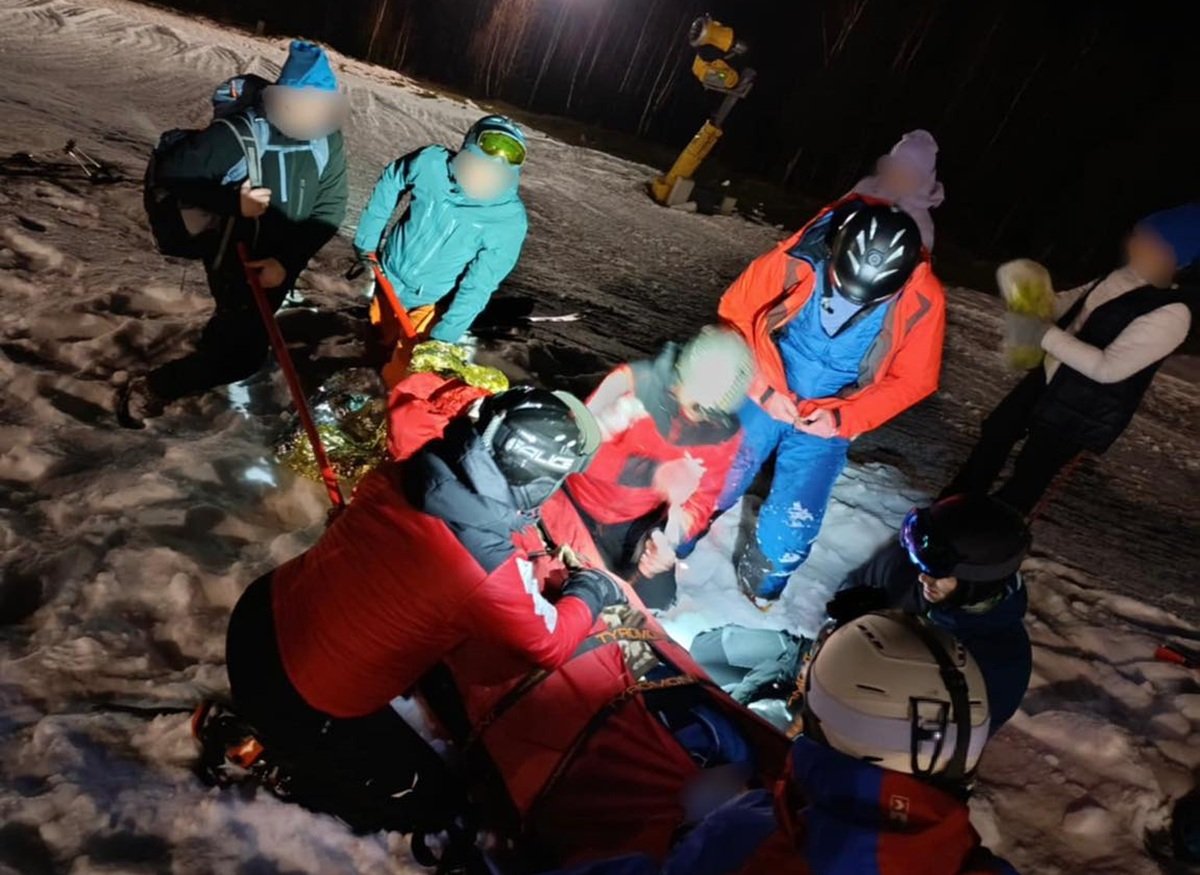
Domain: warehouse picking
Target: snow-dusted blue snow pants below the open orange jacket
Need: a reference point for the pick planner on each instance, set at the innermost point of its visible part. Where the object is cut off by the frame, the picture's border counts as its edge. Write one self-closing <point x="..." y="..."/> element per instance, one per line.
<point x="790" y="519"/>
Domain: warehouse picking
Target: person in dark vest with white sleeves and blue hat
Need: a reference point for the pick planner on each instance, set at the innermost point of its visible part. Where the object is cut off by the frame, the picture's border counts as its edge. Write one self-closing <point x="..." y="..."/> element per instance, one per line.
<point x="1101" y="357"/>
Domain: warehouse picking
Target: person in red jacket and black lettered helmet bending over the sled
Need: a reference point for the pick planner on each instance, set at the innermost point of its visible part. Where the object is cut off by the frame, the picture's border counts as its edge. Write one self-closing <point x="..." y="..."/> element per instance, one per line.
<point x="434" y="552"/>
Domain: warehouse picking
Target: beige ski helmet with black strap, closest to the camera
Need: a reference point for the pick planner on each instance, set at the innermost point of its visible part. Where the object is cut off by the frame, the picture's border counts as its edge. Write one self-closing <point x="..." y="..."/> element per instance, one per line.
<point x="896" y="691"/>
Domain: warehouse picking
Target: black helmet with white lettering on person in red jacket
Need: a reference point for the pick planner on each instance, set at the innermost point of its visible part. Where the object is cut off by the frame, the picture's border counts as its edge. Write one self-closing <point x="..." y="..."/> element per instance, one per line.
<point x="537" y="439"/>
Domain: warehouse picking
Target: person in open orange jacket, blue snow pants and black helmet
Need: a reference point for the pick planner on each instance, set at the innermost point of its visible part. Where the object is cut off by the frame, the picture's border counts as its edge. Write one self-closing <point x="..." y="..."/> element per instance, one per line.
<point x="847" y="321"/>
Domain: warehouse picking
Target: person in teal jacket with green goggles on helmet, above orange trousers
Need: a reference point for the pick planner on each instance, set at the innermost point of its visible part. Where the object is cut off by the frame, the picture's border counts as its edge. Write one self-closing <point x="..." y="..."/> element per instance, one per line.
<point x="464" y="229"/>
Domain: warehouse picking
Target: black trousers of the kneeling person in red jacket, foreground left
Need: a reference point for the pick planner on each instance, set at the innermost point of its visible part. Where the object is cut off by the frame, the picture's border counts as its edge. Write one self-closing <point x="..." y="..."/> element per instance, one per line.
<point x="375" y="771"/>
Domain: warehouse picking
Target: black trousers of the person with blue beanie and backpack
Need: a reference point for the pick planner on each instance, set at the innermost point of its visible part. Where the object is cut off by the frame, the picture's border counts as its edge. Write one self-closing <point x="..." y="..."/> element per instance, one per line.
<point x="233" y="345"/>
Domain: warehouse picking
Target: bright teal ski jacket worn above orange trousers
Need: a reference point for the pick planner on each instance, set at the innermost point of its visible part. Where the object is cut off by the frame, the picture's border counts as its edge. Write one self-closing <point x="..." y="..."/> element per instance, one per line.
<point x="447" y="244"/>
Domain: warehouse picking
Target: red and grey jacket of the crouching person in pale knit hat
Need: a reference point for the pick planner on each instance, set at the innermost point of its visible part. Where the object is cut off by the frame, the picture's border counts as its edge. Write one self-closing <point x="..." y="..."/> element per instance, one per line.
<point x="645" y="430"/>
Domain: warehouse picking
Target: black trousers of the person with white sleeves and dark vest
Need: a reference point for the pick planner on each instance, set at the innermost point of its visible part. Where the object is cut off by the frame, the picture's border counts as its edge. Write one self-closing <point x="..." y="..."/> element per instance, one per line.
<point x="1045" y="454"/>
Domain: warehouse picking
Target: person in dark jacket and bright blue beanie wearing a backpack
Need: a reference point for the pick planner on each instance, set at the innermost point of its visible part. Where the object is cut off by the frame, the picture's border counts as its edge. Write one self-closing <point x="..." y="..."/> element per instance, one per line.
<point x="275" y="177"/>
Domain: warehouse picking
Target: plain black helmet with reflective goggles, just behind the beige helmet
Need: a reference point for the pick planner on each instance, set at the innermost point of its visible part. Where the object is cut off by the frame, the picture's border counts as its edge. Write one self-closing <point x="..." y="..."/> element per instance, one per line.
<point x="974" y="538"/>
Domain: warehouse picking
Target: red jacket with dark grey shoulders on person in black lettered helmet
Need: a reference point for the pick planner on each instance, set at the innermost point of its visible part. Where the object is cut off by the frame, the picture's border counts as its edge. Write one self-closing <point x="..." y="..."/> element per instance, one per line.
<point x="431" y="554"/>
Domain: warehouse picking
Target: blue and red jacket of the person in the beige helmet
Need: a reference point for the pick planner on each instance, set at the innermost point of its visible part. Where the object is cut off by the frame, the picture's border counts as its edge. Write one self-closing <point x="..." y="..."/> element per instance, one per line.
<point x="859" y="816"/>
